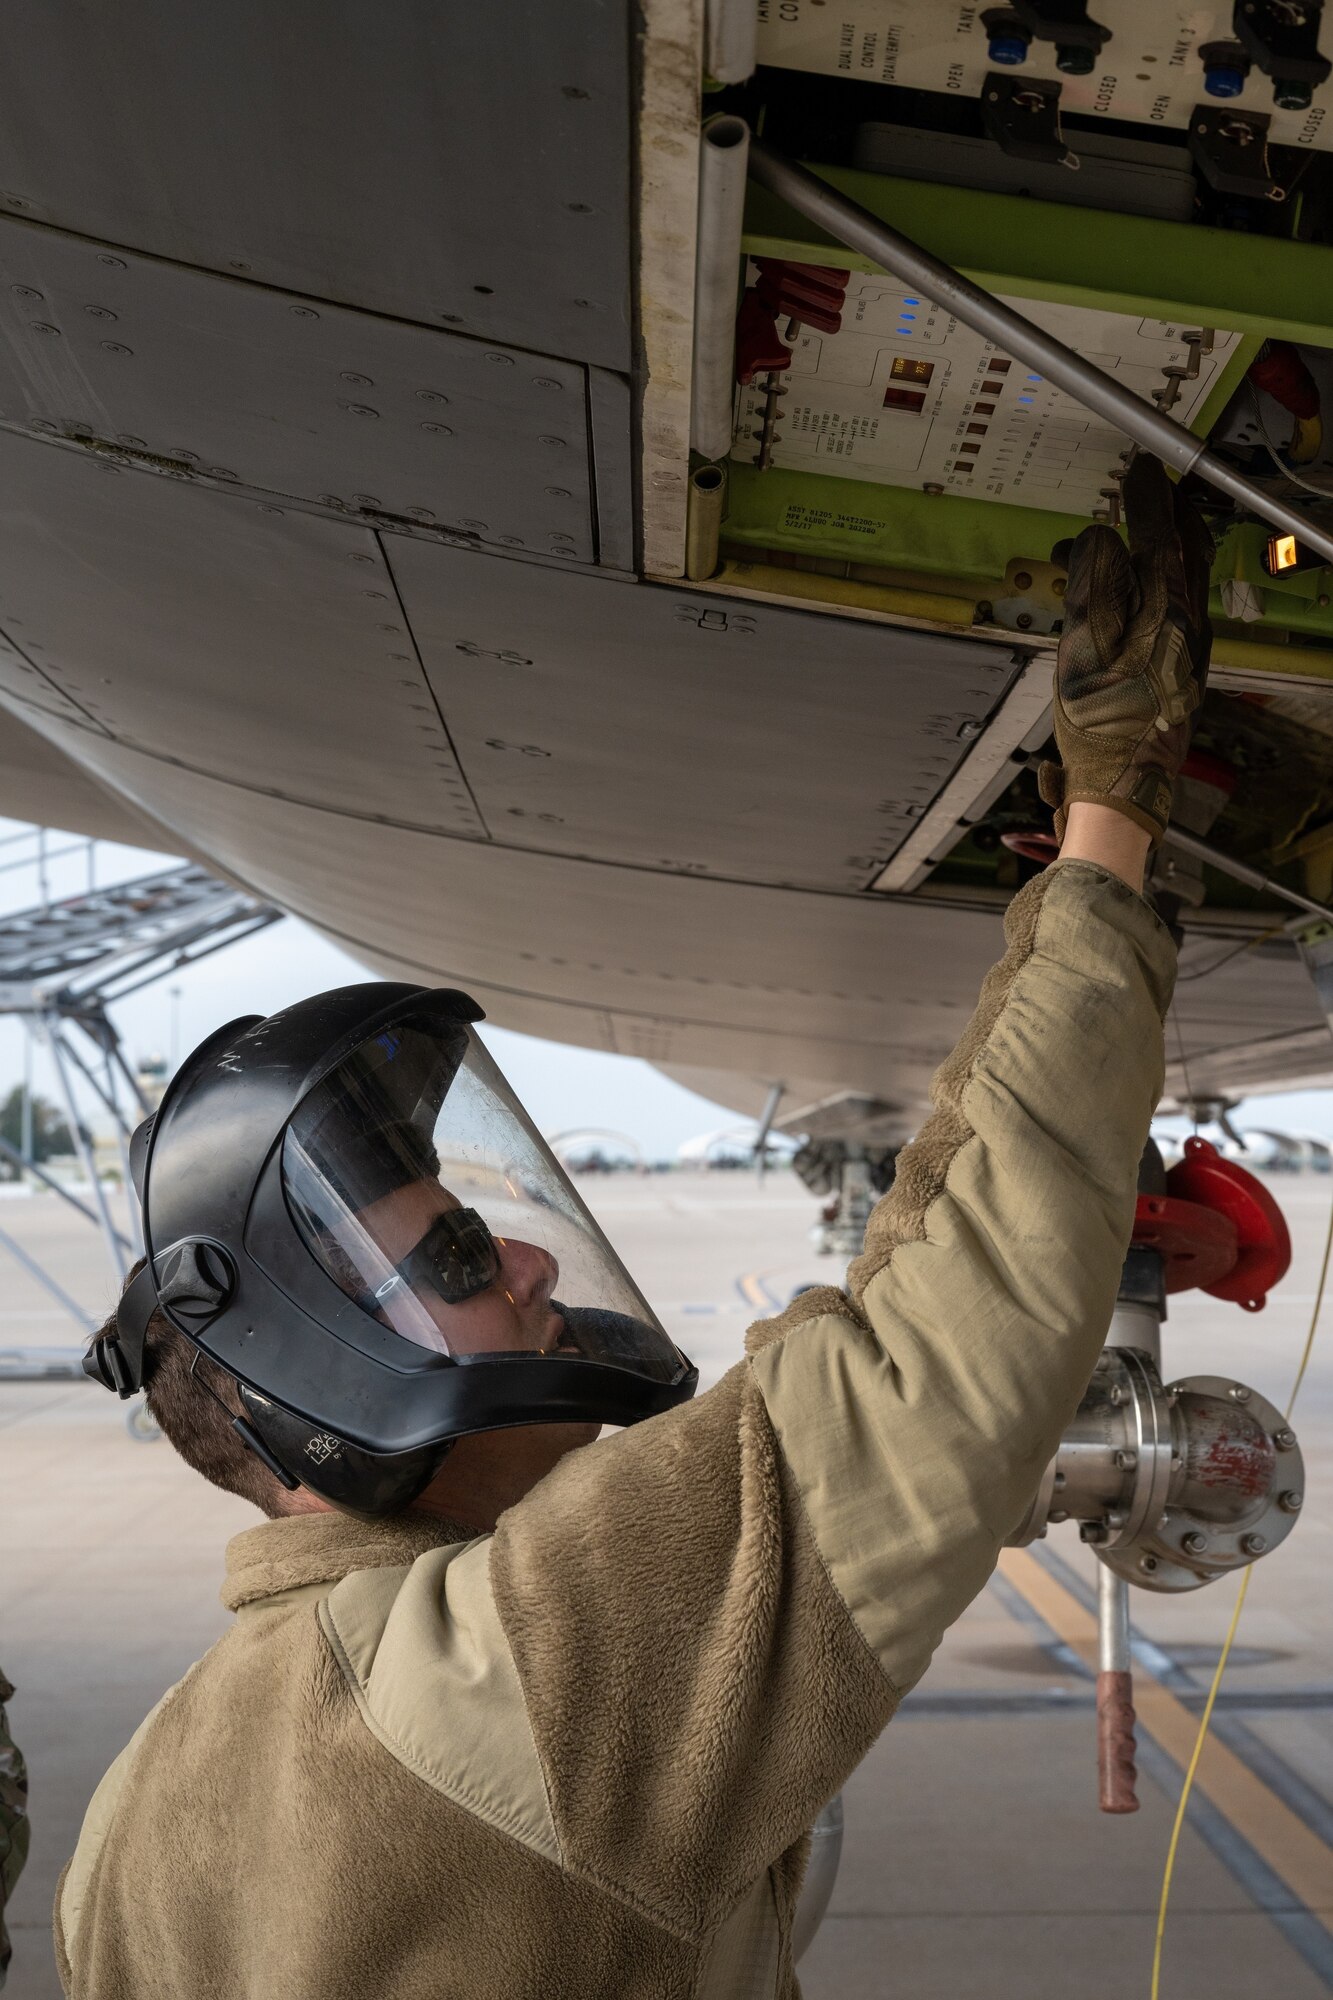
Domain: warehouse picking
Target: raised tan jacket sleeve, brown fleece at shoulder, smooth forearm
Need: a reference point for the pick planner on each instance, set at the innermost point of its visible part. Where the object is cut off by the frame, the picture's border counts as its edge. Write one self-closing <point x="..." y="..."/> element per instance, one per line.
<point x="714" y="1615"/>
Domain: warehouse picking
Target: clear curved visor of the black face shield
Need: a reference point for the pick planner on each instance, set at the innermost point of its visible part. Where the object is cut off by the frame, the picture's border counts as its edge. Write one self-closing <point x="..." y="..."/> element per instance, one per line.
<point x="421" y="1187"/>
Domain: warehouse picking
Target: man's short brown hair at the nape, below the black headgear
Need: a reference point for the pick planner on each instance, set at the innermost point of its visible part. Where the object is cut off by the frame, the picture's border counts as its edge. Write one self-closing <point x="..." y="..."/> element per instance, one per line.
<point x="195" y="1403"/>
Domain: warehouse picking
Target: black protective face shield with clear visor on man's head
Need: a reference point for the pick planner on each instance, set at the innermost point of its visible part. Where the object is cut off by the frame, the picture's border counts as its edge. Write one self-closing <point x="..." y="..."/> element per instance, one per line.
<point x="349" y="1211"/>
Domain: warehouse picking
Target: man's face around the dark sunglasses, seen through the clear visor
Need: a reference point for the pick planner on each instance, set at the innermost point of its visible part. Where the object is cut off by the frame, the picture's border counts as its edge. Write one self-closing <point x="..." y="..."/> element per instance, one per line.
<point x="511" y="1315"/>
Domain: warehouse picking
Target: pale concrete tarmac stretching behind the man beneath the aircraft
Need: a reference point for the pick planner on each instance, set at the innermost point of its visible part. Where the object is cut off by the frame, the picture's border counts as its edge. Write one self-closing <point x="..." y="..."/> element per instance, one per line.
<point x="976" y="1863"/>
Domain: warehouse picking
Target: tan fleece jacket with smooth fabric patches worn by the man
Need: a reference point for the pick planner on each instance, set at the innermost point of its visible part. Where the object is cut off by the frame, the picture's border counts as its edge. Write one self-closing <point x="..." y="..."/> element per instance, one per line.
<point x="579" y="1757"/>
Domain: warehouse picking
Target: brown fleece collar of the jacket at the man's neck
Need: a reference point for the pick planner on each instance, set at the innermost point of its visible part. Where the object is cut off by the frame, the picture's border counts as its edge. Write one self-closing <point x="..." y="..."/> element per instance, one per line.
<point x="323" y="1549"/>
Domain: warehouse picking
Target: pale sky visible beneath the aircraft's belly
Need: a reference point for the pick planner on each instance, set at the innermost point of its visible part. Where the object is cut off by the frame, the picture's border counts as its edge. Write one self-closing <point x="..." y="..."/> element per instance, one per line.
<point x="563" y="1089"/>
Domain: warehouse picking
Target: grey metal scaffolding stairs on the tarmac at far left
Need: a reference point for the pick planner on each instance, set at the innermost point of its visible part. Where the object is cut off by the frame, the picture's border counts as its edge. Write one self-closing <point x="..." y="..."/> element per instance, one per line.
<point x="63" y="965"/>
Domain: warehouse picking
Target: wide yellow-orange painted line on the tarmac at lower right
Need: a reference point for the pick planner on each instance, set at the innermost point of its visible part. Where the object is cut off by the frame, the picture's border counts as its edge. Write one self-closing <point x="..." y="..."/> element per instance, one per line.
<point x="1274" y="1831"/>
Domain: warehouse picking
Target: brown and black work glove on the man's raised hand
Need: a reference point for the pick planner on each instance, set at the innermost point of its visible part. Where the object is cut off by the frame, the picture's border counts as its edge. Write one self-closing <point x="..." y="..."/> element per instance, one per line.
<point x="1134" y="655"/>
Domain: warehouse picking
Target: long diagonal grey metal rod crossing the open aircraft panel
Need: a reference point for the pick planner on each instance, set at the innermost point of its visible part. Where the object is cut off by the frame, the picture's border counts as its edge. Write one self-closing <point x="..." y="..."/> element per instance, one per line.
<point x="1148" y="427"/>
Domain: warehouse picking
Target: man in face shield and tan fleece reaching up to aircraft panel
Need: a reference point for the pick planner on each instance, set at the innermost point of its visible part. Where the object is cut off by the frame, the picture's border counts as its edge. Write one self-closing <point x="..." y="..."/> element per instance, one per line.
<point x="503" y="1715"/>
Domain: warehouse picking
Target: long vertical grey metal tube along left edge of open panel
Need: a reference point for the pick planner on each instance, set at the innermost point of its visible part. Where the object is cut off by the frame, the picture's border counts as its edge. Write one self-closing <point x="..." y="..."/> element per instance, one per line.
<point x="724" y="165"/>
